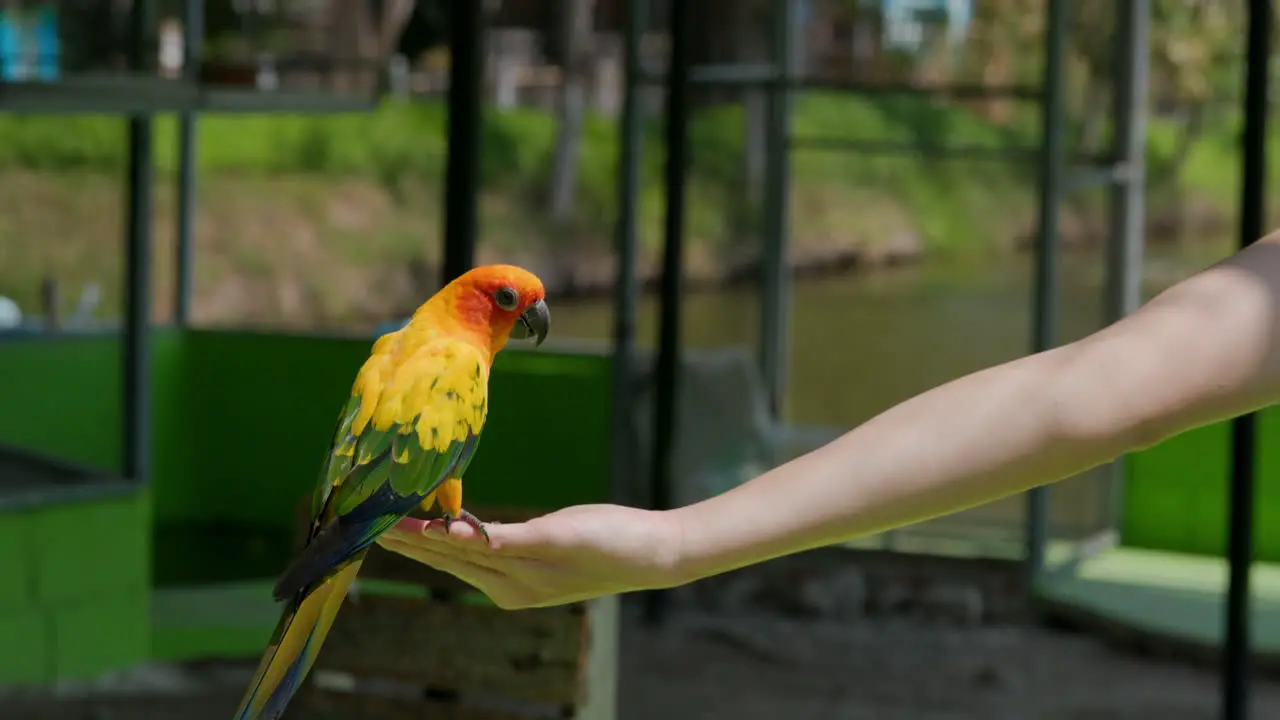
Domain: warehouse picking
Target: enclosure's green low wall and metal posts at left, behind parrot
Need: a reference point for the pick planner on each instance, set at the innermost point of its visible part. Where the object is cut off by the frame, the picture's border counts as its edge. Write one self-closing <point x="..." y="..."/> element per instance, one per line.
<point x="129" y="537"/>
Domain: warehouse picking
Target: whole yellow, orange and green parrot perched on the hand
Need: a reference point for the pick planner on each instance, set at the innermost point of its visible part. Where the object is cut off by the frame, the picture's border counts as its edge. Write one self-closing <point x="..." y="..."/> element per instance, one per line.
<point x="404" y="440"/>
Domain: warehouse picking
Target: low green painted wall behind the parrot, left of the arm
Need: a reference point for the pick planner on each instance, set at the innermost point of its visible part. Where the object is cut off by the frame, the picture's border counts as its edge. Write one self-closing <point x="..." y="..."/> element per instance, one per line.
<point x="241" y="426"/>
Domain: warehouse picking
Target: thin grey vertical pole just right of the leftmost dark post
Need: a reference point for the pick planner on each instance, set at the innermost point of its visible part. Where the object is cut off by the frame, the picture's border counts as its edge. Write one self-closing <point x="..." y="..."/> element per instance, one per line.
<point x="194" y="35"/>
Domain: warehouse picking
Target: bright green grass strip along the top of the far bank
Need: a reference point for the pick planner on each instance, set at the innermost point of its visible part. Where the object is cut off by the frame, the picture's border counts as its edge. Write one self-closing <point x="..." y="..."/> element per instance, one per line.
<point x="405" y="143"/>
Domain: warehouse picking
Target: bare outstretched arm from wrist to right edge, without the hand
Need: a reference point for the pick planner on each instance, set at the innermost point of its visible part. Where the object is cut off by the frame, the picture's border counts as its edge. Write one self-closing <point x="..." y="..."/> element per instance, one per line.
<point x="1200" y="353"/>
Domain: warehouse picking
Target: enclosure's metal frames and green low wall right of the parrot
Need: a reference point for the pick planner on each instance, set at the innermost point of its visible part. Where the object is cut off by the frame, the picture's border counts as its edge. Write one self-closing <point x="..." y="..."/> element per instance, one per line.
<point x="1156" y="569"/>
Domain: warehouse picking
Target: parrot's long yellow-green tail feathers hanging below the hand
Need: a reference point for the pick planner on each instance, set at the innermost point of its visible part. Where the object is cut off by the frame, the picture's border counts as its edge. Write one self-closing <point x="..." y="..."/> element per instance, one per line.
<point x="295" y="648"/>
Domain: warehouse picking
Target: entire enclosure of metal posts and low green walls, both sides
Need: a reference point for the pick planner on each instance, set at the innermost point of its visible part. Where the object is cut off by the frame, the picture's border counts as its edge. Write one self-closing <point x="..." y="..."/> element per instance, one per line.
<point x="179" y="398"/>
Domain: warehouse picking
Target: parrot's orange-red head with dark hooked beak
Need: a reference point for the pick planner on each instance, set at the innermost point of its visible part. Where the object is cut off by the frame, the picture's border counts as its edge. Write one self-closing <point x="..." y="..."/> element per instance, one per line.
<point x="500" y="302"/>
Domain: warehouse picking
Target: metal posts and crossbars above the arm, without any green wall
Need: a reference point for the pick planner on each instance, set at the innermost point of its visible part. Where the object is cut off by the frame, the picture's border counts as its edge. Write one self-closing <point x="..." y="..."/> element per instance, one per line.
<point x="1121" y="172"/>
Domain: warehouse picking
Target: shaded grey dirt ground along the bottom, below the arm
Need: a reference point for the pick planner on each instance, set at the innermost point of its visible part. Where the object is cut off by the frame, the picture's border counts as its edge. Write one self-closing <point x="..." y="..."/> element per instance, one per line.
<point x="764" y="668"/>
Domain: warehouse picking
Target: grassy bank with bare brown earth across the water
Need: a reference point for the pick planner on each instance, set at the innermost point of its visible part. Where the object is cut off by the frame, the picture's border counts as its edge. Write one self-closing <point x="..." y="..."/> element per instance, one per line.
<point x="299" y="215"/>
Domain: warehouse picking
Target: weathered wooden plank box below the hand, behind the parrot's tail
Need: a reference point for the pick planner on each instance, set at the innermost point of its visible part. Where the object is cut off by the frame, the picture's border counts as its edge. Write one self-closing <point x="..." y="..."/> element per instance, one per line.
<point x="419" y="644"/>
